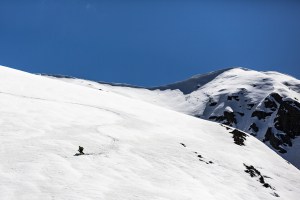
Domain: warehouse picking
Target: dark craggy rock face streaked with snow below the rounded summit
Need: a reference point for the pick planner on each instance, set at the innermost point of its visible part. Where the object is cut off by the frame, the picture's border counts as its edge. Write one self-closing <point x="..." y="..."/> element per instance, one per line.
<point x="282" y="115"/>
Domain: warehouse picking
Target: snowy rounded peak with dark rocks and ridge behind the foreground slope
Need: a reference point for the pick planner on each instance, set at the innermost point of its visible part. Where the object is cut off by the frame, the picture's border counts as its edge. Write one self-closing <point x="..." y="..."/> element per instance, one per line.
<point x="264" y="104"/>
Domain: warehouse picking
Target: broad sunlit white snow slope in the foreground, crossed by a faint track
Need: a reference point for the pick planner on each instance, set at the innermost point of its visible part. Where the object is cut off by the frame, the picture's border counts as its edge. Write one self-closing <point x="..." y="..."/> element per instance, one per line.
<point x="134" y="149"/>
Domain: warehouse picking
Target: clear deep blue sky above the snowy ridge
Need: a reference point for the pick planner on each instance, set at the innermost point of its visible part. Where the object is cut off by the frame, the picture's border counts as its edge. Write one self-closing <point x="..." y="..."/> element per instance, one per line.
<point x="149" y="42"/>
